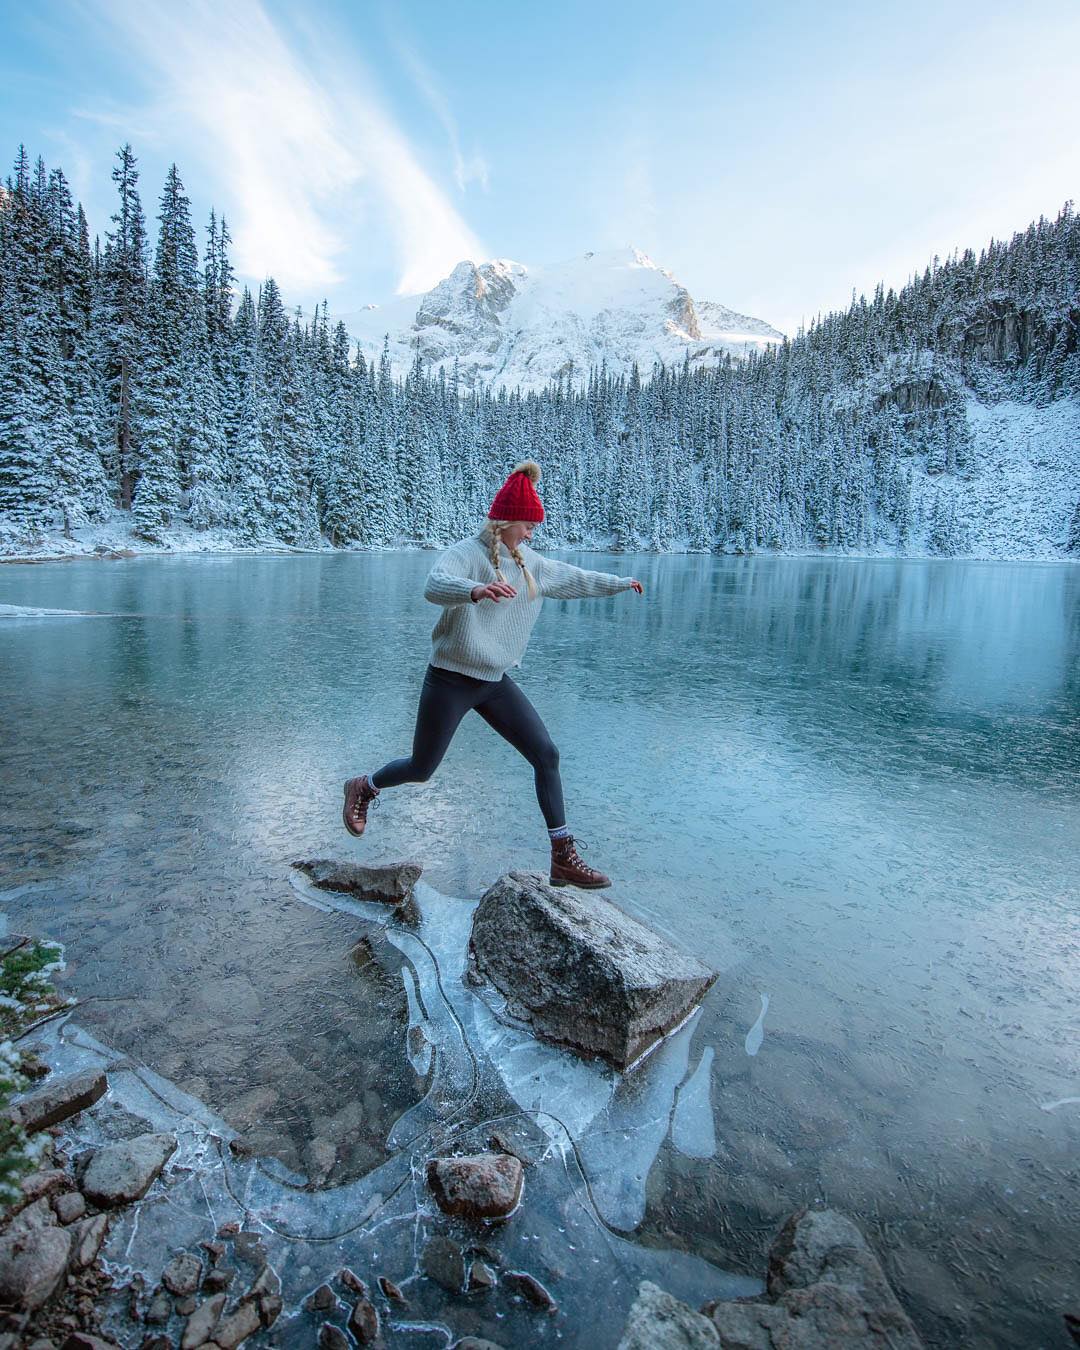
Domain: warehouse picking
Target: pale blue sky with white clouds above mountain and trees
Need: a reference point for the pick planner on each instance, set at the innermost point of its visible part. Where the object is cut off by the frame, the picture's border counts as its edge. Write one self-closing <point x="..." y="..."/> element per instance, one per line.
<point x="772" y="156"/>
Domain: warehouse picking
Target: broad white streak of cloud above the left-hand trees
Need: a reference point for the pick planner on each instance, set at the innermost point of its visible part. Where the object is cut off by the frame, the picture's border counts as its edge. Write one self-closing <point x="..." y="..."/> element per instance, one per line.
<point x="303" y="153"/>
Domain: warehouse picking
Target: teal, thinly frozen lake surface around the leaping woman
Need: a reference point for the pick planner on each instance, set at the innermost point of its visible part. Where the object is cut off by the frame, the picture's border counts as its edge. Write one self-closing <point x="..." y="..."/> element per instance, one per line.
<point x="851" y="785"/>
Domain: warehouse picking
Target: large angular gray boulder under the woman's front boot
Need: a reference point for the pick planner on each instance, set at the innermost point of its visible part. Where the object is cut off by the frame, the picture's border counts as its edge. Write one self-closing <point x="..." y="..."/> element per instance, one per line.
<point x="580" y="970"/>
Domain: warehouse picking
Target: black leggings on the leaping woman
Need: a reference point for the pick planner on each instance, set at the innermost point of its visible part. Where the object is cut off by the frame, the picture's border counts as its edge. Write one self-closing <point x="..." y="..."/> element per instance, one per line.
<point x="445" y="700"/>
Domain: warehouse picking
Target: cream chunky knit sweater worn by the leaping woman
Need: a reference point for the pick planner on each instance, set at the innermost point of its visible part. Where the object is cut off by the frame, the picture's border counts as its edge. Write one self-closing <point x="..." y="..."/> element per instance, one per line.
<point x="485" y="638"/>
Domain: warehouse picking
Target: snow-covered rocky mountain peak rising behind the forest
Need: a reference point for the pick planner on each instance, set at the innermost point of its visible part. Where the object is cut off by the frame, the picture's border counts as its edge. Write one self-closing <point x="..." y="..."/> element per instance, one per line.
<point x="514" y="325"/>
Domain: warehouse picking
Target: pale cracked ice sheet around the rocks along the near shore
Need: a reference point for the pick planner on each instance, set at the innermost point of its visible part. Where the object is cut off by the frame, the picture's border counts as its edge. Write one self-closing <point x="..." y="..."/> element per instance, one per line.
<point x="589" y="1133"/>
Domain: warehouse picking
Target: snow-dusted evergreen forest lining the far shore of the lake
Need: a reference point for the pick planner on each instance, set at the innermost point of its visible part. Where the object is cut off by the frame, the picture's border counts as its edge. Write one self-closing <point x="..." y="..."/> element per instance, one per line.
<point x="137" y="387"/>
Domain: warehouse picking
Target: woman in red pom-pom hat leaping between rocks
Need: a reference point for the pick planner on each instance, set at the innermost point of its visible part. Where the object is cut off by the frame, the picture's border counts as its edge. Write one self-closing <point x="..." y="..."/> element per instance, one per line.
<point x="484" y="630"/>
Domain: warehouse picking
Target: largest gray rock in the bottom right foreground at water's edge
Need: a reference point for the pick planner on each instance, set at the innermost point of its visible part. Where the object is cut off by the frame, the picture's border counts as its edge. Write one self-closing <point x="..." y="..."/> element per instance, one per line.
<point x="827" y="1291"/>
